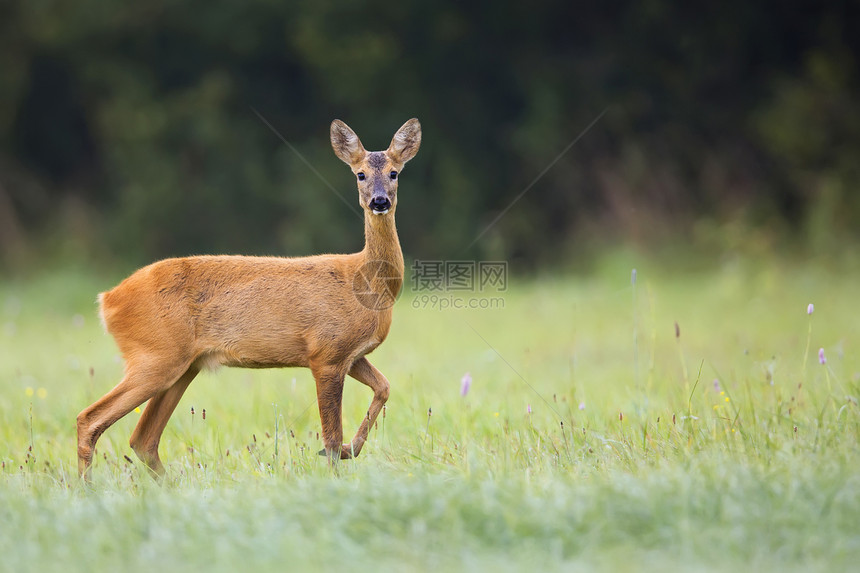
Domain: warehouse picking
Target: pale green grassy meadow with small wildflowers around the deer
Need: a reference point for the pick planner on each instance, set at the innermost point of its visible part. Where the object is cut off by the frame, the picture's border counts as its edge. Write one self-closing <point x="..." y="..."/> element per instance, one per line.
<point x="681" y="423"/>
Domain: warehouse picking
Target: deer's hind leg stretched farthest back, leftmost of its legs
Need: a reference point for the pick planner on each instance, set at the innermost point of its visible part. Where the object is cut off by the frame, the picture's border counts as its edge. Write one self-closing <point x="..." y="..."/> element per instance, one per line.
<point x="144" y="379"/>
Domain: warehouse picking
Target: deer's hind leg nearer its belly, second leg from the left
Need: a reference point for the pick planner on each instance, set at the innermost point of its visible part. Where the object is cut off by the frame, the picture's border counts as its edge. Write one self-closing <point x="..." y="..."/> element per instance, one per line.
<point x="147" y="434"/>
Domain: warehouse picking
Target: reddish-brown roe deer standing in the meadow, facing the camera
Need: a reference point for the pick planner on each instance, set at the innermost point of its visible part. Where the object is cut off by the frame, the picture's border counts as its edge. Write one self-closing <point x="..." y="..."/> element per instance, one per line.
<point x="178" y="316"/>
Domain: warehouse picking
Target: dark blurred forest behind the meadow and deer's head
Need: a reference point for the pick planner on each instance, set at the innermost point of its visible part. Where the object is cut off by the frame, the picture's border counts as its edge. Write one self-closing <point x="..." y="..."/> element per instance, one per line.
<point x="128" y="132"/>
